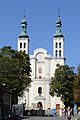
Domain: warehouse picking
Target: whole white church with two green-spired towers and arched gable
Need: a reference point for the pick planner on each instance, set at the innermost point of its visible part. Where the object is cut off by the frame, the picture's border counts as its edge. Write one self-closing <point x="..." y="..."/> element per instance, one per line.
<point x="43" y="68"/>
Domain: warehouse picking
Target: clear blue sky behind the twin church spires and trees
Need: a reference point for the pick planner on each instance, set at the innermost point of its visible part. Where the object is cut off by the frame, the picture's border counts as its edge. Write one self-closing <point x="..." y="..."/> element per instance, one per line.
<point x="41" y="16"/>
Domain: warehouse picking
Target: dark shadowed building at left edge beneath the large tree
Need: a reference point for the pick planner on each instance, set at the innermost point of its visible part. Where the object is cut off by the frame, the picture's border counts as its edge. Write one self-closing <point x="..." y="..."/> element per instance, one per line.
<point x="5" y="100"/>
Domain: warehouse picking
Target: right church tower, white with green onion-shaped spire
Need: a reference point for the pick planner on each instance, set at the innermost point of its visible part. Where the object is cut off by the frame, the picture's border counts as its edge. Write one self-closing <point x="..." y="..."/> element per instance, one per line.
<point x="58" y="42"/>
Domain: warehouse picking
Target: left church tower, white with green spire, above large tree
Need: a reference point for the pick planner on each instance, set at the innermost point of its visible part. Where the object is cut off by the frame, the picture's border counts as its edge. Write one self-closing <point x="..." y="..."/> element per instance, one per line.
<point x="23" y="39"/>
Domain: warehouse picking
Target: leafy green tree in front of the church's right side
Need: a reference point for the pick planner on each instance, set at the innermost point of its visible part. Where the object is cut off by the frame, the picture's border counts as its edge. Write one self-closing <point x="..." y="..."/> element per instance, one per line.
<point x="62" y="84"/>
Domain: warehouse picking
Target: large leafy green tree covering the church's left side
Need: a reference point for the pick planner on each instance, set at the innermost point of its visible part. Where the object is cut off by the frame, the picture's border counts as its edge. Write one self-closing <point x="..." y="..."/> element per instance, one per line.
<point x="14" y="70"/>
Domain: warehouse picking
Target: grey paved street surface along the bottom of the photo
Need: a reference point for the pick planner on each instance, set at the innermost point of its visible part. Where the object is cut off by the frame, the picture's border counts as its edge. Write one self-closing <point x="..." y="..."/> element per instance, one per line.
<point x="47" y="118"/>
